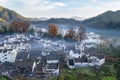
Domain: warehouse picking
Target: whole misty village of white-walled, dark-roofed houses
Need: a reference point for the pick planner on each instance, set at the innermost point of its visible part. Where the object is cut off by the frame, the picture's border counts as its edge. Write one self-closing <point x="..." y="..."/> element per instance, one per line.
<point x="30" y="56"/>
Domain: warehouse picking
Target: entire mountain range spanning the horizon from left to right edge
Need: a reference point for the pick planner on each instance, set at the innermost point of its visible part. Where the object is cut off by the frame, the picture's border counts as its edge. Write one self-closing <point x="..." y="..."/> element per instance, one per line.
<point x="107" y="20"/>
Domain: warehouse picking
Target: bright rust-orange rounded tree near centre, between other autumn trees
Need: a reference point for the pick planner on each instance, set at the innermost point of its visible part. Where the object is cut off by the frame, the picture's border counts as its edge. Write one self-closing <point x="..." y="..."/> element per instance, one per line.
<point x="53" y="30"/>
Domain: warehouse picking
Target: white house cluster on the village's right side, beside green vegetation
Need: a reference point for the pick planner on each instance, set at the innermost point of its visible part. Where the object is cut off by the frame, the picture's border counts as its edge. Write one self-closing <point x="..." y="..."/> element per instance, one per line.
<point x="84" y="54"/>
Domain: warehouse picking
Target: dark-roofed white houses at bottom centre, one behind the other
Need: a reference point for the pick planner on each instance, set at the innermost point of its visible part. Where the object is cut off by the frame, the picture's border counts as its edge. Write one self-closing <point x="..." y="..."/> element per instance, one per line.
<point x="52" y="61"/>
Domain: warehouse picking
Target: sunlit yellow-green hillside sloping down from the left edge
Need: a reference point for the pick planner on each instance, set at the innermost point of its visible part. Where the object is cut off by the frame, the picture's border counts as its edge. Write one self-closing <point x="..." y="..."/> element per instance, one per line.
<point x="10" y="15"/>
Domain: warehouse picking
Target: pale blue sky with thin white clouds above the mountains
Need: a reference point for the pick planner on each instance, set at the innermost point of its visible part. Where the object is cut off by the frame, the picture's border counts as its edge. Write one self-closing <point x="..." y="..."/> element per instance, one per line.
<point x="61" y="8"/>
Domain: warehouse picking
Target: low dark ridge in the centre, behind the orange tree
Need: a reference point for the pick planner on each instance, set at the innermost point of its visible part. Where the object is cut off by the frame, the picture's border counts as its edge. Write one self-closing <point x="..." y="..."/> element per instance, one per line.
<point x="61" y="22"/>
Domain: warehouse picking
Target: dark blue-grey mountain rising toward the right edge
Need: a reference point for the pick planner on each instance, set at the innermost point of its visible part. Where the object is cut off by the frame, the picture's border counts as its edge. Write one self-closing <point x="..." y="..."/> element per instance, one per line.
<point x="107" y="20"/>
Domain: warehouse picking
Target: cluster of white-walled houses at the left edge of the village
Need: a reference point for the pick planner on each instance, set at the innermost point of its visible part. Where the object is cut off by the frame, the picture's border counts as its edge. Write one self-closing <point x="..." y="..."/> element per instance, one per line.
<point x="11" y="45"/>
